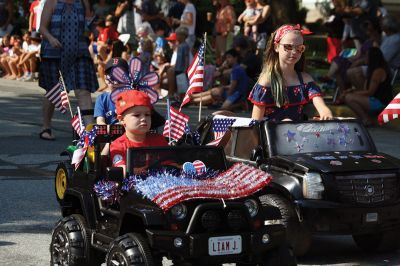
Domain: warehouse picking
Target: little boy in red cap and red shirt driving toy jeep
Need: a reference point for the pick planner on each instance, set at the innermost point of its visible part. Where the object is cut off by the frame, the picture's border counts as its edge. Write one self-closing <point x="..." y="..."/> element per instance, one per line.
<point x="134" y="111"/>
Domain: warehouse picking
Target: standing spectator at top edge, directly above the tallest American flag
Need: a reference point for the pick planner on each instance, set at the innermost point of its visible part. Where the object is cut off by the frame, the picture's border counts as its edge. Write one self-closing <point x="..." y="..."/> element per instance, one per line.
<point x="188" y="20"/>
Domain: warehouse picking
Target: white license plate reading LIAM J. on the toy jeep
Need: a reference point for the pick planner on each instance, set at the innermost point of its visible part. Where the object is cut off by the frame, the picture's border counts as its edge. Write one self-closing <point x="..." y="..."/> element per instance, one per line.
<point x="224" y="245"/>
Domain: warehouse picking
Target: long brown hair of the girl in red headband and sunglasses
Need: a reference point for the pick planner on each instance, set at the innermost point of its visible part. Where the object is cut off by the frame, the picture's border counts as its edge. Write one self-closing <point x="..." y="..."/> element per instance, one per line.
<point x="272" y="70"/>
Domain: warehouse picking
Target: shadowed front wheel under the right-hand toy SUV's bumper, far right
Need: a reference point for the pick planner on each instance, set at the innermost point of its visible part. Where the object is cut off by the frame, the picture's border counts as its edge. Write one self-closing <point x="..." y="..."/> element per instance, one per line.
<point x="378" y="242"/>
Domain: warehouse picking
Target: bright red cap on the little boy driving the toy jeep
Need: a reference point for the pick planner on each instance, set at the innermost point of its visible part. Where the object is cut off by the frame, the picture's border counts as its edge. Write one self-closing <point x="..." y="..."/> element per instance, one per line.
<point x="131" y="98"/>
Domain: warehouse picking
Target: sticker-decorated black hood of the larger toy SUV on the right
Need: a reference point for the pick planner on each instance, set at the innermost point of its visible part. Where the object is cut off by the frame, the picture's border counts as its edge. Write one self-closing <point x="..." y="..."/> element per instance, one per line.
<point x="343" y="161"/>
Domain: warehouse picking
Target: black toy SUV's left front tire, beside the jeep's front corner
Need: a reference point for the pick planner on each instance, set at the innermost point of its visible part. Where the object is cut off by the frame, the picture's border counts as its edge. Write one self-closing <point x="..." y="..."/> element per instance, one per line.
<point x="297" y="235"/>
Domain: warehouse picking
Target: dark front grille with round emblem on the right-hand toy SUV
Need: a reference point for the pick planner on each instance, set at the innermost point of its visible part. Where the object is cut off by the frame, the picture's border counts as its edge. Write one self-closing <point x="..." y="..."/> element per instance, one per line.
<point x="368" y="188"/>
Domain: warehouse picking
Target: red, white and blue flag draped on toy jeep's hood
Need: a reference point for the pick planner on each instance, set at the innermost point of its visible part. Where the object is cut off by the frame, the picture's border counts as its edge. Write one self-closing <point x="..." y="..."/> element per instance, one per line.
<point x="239" y="181"/>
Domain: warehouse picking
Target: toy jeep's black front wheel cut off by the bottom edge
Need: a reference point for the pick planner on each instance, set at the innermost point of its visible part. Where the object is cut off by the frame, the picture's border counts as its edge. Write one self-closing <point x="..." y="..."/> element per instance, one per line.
<point x="128" y="250"/>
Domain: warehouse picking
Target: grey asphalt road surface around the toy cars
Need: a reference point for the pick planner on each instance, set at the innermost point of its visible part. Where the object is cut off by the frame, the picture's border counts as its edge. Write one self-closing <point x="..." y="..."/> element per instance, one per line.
<point x="28" y="208"/>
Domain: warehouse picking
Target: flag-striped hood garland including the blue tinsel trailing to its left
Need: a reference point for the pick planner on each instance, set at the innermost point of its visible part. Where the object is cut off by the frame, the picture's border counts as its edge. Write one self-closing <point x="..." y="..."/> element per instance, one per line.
<point x="167" y="188"/>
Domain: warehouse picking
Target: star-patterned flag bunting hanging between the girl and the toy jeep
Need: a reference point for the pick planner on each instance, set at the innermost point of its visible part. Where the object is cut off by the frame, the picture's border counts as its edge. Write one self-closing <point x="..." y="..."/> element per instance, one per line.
<point x="222" y="123"/>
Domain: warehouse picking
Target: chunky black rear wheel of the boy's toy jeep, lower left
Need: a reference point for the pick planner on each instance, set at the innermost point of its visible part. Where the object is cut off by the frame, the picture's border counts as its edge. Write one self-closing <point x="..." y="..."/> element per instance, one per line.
<point x="70" y="244"/>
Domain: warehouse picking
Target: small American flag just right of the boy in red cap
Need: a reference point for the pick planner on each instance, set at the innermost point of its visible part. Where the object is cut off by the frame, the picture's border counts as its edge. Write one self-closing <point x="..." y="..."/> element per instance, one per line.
<point x="176" y="127"/>
